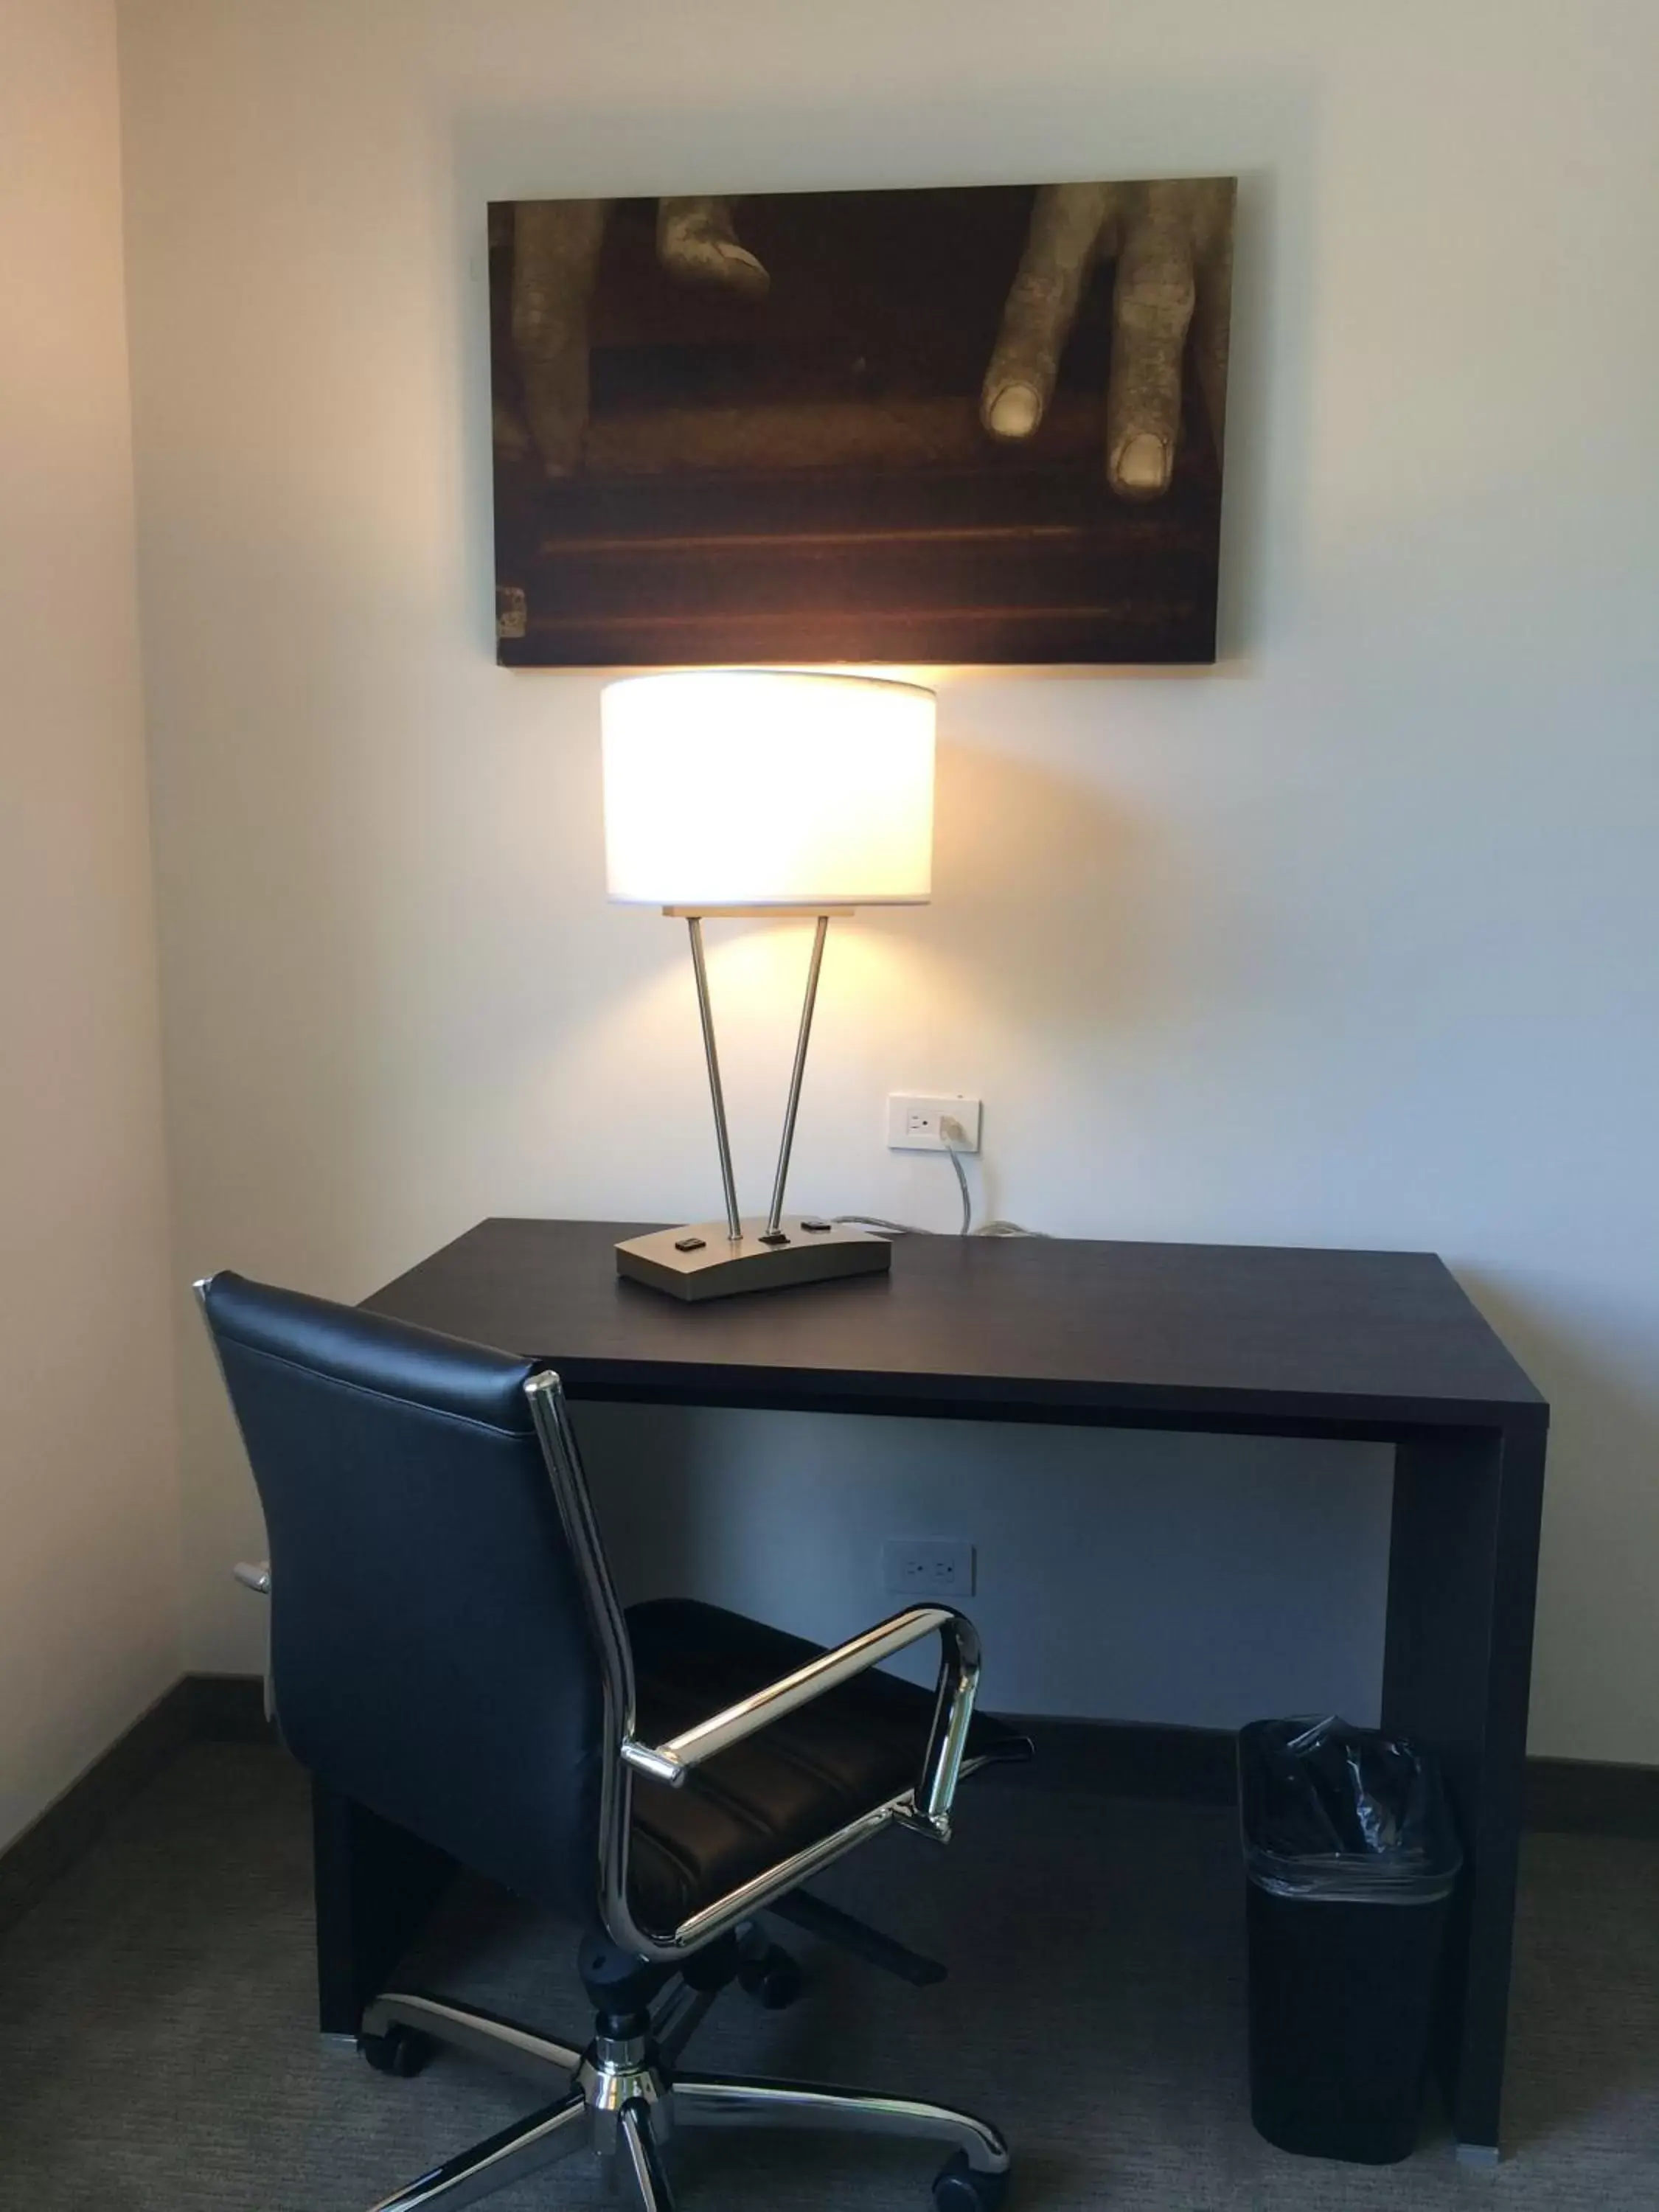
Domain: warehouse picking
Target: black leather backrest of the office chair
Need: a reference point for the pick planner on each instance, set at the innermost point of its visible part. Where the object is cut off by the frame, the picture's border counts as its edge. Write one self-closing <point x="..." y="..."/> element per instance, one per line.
<point x="432" y="1653"/>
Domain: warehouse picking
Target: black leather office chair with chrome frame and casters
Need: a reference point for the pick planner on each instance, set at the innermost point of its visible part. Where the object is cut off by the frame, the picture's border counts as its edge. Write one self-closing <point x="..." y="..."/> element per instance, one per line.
<point x="448" y="1651"/>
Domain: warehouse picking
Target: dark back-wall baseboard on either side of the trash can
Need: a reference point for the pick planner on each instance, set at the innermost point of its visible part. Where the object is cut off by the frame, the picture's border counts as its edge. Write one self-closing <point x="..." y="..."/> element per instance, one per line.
<point x="1196" y="1766"/>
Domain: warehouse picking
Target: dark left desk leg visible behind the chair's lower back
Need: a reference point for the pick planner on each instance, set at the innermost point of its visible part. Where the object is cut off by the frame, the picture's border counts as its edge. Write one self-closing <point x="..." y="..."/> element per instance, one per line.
<point x="375" y="1886"/>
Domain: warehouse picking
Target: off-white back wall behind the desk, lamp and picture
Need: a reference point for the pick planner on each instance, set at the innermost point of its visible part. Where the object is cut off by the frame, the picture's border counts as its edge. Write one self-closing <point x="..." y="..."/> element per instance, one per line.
<point x="1346" y="943"/>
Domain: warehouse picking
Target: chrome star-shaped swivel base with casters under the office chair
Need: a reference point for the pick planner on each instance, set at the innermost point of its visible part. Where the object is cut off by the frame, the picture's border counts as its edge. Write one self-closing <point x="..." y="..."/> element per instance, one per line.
<point x="625" y="2098"/>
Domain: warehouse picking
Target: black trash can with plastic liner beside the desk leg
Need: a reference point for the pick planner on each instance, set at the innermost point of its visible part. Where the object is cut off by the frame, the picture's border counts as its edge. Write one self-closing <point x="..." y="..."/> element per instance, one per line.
<point x="1350" y="1866"/>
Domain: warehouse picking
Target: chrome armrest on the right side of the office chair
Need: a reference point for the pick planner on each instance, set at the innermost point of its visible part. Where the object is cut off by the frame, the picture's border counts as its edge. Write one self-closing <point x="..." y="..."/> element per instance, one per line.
<point x="948" y="1740"/>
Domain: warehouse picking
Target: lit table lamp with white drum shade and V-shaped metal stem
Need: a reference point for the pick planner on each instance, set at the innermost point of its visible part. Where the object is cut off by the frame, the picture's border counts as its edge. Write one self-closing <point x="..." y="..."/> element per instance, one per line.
<point x="764" y="793"/>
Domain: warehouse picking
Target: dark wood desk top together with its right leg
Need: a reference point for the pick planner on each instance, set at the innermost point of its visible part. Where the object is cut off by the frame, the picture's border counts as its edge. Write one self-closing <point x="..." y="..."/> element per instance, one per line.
<point x="1370" y="1346"/>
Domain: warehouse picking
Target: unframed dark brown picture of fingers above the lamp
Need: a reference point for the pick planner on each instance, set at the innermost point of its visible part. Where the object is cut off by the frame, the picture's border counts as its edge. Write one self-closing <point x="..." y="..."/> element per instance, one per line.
<point x="970" y="426"/>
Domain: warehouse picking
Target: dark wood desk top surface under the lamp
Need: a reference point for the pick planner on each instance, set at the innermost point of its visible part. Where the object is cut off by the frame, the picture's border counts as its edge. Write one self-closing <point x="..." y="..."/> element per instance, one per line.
<point x="1169" y="1335"/>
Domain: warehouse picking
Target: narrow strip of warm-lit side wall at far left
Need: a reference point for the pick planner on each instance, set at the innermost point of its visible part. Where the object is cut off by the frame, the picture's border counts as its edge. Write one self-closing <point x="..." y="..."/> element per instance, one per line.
<point x="90" y="1550"/>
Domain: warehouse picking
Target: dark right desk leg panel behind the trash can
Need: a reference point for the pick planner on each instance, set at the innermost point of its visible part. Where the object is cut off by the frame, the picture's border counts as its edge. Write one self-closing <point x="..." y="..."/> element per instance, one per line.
<point x="1457" y="1676"/>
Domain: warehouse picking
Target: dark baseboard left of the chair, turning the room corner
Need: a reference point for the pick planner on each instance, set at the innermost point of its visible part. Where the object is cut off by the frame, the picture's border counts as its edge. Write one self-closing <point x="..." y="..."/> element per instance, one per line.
<point x="200" y="1707"/>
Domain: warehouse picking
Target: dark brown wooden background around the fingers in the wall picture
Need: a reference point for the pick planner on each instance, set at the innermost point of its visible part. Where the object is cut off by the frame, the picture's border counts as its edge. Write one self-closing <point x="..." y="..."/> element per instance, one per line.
<point x="806" y="477"/>
